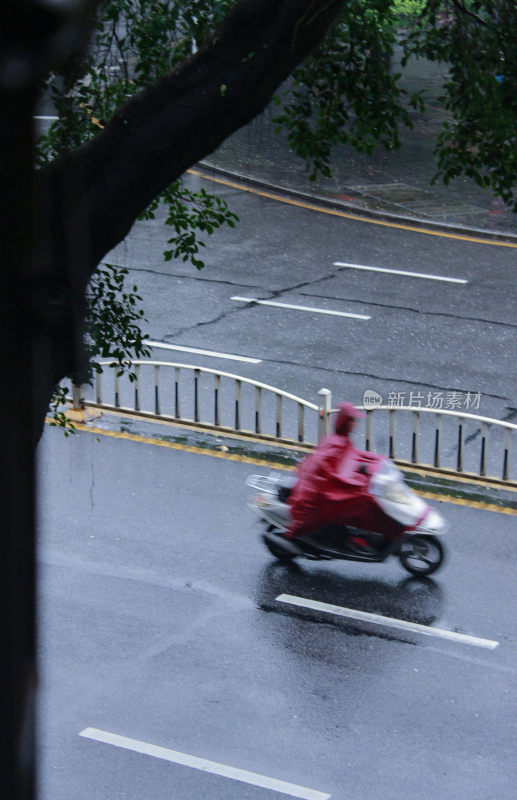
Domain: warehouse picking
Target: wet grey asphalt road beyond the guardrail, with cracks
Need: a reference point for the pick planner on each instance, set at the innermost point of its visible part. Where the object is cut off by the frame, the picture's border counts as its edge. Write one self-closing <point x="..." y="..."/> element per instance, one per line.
<point x="421" y="335"/>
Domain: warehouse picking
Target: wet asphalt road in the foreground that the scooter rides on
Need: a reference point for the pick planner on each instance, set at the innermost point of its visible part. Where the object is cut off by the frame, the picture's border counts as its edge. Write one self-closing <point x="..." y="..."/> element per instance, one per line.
<point x="159" y="622"/>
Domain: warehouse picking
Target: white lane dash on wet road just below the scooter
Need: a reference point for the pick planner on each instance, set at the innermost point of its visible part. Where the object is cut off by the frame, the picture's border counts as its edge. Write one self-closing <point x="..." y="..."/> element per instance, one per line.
<point x="388" y="622"/>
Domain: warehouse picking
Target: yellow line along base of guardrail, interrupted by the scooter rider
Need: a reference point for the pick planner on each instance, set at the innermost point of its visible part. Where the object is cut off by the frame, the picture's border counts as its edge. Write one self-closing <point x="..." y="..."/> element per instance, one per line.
<point x="187" y="448"/>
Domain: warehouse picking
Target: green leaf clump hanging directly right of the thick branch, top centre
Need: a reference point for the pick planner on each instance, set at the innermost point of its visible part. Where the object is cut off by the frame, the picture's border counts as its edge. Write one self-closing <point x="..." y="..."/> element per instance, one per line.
<point x="345" y="92"/>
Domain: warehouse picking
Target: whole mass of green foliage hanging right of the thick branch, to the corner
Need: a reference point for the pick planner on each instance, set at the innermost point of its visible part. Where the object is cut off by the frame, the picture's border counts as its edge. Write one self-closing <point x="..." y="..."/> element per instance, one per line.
<point x="346" y="92"/>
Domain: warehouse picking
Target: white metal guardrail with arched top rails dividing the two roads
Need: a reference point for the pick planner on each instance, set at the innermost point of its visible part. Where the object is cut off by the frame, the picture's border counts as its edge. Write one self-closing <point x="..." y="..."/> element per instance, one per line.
<point x="445" y="441"/>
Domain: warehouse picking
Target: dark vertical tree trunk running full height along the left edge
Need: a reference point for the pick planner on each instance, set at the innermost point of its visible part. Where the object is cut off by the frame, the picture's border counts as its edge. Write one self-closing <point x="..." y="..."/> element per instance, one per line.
<point x="29" y="41"/>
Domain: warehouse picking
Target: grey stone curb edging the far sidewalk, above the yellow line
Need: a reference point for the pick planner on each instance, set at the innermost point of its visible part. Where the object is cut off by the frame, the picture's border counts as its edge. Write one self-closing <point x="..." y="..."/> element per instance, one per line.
<point x="385" y="216"/>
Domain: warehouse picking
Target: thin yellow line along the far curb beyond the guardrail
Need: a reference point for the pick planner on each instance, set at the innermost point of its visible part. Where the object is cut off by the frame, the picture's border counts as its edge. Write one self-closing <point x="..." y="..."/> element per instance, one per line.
<point x="348" y="215"/>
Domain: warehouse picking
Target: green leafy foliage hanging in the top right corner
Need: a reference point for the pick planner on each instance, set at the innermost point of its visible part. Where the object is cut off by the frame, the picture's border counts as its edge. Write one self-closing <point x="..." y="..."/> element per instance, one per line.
<point x="477" y="39"/>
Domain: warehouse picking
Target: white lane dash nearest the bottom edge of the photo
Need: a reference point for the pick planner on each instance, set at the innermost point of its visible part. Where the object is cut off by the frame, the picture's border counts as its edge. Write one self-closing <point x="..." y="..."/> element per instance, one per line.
<point x="175" y="757"/>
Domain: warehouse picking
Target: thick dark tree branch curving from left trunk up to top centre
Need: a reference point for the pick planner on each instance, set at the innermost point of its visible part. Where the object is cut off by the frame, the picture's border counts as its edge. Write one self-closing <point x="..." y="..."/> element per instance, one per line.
<point x="88" y="199"/>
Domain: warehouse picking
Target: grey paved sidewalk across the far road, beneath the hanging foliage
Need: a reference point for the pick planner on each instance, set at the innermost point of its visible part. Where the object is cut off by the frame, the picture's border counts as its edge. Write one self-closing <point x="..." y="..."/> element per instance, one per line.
<point x="389" y="183"/>
